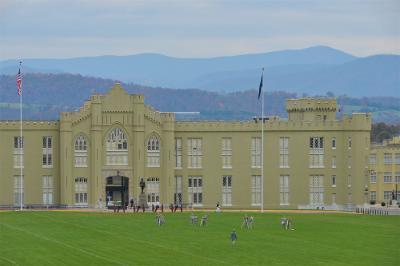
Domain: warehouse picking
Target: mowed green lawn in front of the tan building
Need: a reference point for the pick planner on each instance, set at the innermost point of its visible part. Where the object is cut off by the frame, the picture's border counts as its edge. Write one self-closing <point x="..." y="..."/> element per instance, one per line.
<point x="84" y="238"/>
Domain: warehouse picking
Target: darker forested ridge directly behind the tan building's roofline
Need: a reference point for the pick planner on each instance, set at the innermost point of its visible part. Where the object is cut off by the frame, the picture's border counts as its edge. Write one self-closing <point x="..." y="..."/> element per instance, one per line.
<point x="45" y="95"/>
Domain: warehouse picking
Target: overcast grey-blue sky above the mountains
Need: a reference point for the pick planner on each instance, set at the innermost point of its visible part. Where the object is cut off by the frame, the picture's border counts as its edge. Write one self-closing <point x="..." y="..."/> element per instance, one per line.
<point x="74" y="28"/>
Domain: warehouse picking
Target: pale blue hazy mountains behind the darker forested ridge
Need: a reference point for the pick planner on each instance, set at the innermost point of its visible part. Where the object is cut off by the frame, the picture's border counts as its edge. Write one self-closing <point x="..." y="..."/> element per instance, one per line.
<point x="314" y="70"/>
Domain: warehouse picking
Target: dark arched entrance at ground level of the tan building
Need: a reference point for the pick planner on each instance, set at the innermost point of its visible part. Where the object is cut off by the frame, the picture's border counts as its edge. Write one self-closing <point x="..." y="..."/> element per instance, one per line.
<point x="117" y="192"/>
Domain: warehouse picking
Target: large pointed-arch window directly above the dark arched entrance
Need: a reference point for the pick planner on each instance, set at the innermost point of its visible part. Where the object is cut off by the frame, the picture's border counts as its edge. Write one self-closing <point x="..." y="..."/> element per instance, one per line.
<point x="116" y="148"/>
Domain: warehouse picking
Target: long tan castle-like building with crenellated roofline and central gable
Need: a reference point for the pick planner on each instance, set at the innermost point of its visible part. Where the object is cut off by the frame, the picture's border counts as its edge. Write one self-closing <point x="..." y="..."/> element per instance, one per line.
<point x="98" y="155"/>
